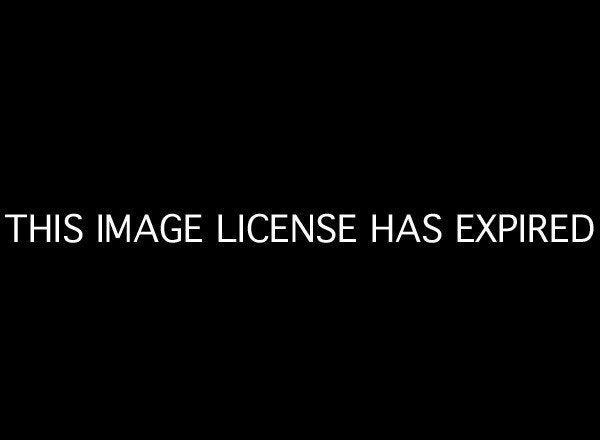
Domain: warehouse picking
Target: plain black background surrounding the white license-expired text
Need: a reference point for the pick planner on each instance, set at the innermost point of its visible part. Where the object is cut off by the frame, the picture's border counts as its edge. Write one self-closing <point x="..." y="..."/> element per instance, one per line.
<point x="368" y="113"/>
